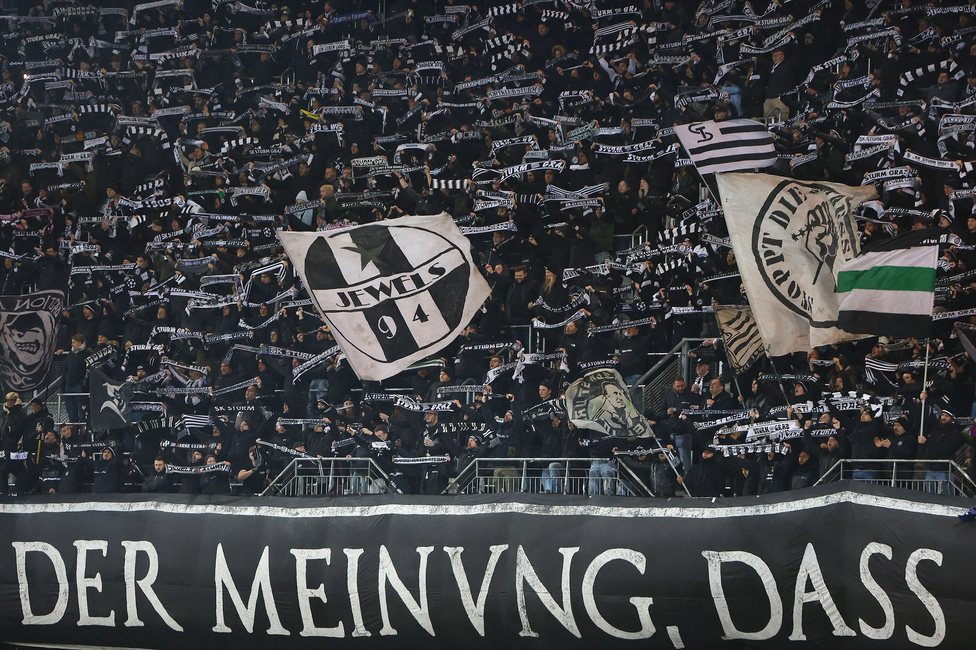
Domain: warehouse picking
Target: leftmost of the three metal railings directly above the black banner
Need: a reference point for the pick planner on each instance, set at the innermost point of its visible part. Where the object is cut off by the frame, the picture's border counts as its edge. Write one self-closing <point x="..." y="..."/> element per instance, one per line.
<point x="331" y="477"/>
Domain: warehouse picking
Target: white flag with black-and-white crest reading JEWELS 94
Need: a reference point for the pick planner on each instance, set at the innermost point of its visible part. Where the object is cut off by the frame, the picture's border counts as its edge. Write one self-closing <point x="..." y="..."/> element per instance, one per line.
<point x="392" y="292"/>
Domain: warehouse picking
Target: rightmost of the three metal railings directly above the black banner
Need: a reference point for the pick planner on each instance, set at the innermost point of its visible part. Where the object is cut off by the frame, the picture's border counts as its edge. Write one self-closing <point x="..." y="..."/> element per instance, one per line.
<point x="936" y="476"/>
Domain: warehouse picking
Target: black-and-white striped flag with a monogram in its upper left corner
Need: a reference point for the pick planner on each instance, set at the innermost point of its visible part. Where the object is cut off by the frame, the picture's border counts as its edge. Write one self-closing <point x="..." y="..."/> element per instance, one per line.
<point x="727" y="146"/>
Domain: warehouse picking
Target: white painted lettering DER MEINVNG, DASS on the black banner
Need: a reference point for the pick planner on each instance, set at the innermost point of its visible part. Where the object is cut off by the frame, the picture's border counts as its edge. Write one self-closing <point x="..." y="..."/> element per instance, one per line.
<point x="415" y="597"/>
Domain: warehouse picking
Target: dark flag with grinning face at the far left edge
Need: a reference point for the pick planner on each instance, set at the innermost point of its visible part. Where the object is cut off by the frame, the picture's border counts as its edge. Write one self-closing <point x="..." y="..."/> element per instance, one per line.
<point x="28" y="334"/>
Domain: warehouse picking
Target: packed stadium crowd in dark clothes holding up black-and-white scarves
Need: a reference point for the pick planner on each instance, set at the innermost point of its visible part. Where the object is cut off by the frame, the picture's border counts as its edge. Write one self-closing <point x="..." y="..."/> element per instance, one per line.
<point x="151" y="151"/>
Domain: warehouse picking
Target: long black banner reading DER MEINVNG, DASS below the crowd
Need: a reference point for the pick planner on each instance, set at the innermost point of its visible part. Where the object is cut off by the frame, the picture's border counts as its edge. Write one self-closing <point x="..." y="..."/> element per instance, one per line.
<point x="843" y="566"/>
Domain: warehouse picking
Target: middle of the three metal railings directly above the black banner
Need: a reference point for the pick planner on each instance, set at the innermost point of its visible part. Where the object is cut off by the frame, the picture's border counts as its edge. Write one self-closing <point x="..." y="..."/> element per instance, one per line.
<point x="580" y="476"/>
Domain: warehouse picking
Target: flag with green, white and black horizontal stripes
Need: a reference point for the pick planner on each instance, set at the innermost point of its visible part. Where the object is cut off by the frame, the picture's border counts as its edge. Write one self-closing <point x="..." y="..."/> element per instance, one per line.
<point x="889" y="290"/>
